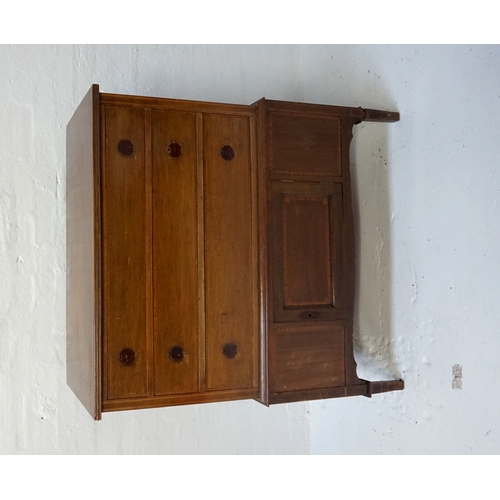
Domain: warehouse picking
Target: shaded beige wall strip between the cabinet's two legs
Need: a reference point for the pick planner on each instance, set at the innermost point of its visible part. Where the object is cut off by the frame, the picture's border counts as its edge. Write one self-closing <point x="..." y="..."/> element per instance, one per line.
<point x="373" y="332"/>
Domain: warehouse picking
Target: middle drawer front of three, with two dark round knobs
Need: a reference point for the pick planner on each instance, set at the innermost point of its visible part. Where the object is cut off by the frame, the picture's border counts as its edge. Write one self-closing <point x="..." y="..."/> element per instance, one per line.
<point x="175" y="252"/>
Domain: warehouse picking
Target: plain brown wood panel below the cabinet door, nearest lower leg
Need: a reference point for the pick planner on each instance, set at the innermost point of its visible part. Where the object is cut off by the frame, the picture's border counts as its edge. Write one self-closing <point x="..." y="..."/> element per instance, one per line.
<point x="307" y="357"/>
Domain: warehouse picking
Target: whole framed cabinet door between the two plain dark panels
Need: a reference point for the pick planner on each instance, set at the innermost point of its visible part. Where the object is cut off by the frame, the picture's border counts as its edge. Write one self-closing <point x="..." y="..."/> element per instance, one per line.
<point x="307" y="251"/>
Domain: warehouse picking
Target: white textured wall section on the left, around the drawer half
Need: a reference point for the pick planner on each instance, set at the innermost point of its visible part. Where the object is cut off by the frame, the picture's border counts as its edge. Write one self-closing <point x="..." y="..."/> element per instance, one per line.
<point x="40" y="88"/>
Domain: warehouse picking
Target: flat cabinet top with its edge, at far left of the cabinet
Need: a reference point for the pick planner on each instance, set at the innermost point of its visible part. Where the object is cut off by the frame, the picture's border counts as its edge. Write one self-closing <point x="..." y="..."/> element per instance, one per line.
<point x="82" y="318"/>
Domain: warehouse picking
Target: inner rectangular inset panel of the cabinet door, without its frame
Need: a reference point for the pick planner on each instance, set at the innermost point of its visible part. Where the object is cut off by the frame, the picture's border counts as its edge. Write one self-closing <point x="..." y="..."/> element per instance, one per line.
<point x="307" y="252"/>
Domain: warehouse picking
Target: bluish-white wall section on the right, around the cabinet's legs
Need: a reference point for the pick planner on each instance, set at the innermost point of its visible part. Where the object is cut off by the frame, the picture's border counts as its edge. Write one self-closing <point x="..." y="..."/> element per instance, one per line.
<point x="428" y="189"/>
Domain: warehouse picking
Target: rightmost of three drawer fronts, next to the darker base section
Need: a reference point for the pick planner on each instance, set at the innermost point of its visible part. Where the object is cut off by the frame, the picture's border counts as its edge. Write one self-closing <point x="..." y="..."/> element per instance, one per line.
<point x="230" y="323"/>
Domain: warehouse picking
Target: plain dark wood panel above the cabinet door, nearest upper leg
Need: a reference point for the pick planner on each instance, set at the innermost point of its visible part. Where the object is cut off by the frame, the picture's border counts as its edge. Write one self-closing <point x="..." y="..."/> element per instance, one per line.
<point x="302" y="144"/>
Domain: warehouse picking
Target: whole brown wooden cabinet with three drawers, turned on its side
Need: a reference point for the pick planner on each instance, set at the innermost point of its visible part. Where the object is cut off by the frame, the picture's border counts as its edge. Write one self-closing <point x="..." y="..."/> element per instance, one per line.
<point x="203" y="252"/>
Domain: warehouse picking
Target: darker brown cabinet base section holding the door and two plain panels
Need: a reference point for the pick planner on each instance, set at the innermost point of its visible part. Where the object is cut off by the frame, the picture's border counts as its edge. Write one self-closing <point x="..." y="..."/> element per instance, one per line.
<point x="311" y="251"/>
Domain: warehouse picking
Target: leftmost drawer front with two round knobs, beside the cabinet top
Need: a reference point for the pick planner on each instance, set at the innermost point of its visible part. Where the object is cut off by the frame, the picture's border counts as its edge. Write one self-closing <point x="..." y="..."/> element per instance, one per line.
<point x="124" y="263"/>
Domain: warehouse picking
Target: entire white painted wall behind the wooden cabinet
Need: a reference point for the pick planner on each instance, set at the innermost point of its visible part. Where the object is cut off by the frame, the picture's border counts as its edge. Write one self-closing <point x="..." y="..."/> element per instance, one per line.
<point x="427" y="190"/>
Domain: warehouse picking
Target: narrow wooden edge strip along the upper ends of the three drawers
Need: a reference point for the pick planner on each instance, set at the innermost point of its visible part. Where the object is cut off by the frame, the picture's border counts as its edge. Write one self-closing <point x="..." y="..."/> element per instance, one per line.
<point x="178" y="104"/>
